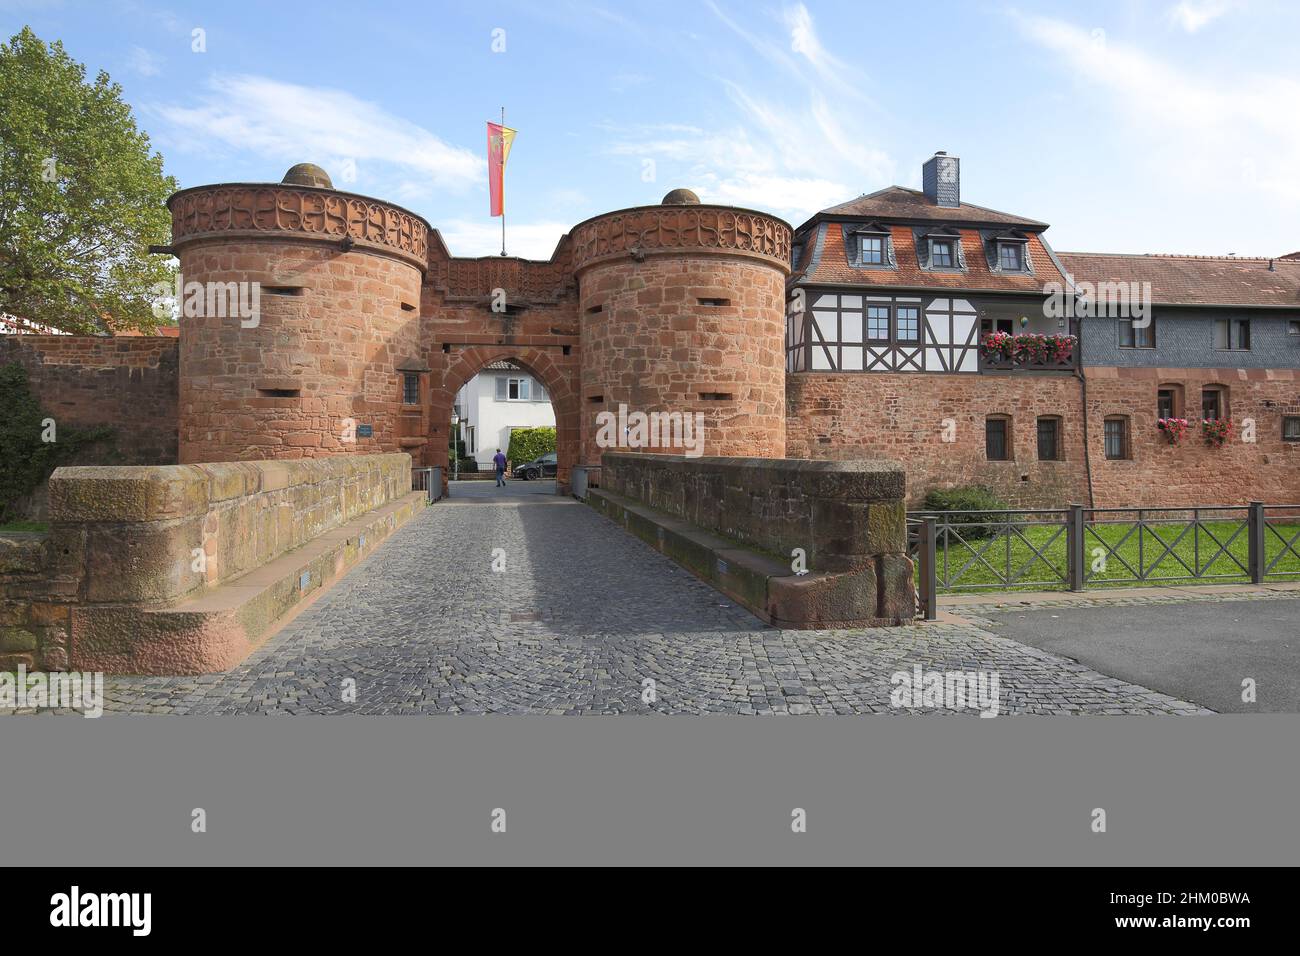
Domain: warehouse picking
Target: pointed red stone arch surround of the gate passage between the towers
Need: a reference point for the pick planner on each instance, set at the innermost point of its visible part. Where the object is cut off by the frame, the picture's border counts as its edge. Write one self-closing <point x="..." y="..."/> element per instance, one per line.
<point x="560" y="375"/>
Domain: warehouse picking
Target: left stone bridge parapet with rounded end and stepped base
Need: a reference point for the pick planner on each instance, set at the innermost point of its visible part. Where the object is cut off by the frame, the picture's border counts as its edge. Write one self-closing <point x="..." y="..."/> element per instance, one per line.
<point x="201" y="561"/>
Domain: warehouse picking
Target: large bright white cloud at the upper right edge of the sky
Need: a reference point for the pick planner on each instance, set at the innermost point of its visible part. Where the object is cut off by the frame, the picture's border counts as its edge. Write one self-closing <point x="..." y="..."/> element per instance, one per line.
<point x="1210" y="135"/>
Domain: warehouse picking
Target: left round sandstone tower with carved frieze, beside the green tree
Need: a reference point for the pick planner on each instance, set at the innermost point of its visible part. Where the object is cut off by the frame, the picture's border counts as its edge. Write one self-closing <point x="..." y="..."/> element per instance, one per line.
<point x="298" y="306"/>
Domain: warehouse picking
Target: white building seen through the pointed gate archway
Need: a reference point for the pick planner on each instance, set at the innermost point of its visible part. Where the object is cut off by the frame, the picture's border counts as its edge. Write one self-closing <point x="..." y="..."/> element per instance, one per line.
<point x="500" y="399"/>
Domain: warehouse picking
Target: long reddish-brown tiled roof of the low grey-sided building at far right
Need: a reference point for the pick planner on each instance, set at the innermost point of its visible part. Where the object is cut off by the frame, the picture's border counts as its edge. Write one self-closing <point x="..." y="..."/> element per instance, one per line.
<point x="1181" y="280"/>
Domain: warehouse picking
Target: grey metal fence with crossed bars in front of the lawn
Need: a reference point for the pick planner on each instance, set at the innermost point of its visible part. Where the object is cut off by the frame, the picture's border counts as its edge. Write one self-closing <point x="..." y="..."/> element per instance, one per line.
<point x="1081" y="547"/>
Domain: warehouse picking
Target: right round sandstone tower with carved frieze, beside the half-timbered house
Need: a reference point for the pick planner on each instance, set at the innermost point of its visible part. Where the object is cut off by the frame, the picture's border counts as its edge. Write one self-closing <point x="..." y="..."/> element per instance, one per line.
<point x="683" y="314"/>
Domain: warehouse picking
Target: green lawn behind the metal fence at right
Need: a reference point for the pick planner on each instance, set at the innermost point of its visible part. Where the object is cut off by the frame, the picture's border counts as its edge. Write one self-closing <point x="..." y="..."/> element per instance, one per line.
<point x="1143" y="551"/>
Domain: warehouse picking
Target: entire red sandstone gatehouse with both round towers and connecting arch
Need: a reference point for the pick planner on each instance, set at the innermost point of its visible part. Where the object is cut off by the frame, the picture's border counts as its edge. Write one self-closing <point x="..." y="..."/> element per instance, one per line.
<point x="366" y="327"/>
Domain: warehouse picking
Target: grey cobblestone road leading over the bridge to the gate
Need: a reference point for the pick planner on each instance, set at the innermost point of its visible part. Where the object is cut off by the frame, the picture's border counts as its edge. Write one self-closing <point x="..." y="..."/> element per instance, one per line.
<point x="582" y="616"/>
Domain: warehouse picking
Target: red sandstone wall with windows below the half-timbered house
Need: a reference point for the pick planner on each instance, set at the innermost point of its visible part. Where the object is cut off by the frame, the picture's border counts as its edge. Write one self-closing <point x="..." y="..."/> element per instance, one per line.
<point x="903" y="418"/>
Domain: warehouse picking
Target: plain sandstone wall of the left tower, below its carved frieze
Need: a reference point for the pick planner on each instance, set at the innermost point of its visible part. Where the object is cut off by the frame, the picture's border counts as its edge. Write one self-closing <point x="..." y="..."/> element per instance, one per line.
<point x="332" y="331"/>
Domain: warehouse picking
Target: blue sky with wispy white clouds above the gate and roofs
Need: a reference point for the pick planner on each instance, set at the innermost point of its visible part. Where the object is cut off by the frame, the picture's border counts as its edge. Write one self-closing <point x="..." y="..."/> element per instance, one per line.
<point x="1142" y="127"/>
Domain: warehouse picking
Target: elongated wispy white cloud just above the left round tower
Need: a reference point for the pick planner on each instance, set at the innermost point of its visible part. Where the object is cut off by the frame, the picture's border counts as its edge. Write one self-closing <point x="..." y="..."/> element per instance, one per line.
<point x="288" y="124"/>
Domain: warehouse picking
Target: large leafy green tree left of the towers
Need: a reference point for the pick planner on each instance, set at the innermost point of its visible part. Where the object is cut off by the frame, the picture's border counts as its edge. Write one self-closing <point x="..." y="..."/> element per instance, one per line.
<point x="81" y="197"/>
